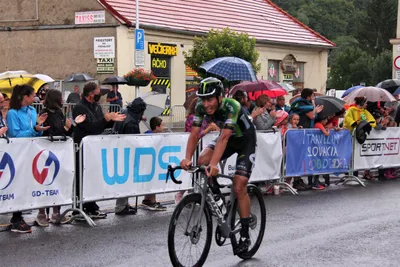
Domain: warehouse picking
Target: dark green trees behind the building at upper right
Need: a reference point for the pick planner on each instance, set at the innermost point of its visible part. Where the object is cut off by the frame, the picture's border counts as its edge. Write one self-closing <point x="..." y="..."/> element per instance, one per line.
<point x="361" y="30"/>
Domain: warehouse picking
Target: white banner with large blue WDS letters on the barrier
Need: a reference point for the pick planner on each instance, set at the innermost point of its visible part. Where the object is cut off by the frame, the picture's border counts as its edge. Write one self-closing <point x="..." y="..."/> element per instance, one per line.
<point x="128" y="165"/>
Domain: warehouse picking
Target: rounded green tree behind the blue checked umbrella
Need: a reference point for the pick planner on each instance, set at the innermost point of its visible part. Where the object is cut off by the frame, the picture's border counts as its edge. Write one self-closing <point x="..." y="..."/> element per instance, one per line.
<point x="222" y="43"/>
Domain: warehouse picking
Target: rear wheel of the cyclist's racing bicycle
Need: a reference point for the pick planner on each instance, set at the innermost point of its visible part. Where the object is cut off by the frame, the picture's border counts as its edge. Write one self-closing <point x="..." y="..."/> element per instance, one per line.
<point x="257" y="224"/>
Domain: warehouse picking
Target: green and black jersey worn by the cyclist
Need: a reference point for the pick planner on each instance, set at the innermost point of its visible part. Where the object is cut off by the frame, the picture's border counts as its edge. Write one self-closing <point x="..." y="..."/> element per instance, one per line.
<point x="230" y="115"/>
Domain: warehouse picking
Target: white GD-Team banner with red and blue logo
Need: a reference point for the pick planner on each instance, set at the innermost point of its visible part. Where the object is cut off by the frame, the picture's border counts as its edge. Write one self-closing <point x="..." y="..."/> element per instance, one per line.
<point x="35" y="173"/>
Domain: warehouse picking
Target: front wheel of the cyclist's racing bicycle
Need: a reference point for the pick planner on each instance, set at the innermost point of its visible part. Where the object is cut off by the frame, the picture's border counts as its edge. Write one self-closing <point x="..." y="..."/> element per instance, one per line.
<point x="189" y="238"/>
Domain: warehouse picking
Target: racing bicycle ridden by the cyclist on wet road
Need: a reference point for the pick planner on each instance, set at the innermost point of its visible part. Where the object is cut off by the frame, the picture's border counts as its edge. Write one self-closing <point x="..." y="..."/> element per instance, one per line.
<point x="191" y="226"/>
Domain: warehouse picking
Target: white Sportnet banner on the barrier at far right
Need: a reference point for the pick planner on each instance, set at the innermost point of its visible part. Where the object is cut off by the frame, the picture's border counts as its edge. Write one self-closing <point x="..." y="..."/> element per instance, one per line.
<point x="380" y="150"/>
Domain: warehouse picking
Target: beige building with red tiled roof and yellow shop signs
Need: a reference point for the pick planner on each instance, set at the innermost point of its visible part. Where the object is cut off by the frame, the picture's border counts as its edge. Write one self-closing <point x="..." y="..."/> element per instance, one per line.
<point x="97" y="37"/>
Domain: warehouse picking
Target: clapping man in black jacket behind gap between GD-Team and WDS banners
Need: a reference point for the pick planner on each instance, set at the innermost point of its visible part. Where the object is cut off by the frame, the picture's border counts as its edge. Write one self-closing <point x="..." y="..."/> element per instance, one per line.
<point x="94" y="124"/>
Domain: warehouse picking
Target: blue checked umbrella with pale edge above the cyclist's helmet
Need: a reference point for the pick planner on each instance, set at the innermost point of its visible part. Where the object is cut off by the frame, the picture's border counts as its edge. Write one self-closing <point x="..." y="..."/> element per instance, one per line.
<point x="230" y="68"/>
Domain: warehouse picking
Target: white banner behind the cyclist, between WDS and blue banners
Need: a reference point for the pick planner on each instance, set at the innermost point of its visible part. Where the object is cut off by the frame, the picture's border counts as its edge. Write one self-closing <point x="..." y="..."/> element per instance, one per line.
<point x="268" y="157"/>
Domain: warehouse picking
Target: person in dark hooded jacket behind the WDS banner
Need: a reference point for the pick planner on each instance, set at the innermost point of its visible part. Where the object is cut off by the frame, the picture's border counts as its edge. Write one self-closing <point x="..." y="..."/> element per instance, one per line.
<point x="135" y="113"/>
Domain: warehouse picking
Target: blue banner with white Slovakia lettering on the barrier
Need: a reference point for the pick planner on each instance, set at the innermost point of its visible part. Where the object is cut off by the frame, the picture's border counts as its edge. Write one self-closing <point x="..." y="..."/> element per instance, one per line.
<point x="310" y="152"/>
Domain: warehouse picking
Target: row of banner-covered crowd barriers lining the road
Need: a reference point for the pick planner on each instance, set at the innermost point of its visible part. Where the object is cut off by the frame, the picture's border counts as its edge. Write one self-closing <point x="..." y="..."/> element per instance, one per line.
<point x="132" y="165"/>
